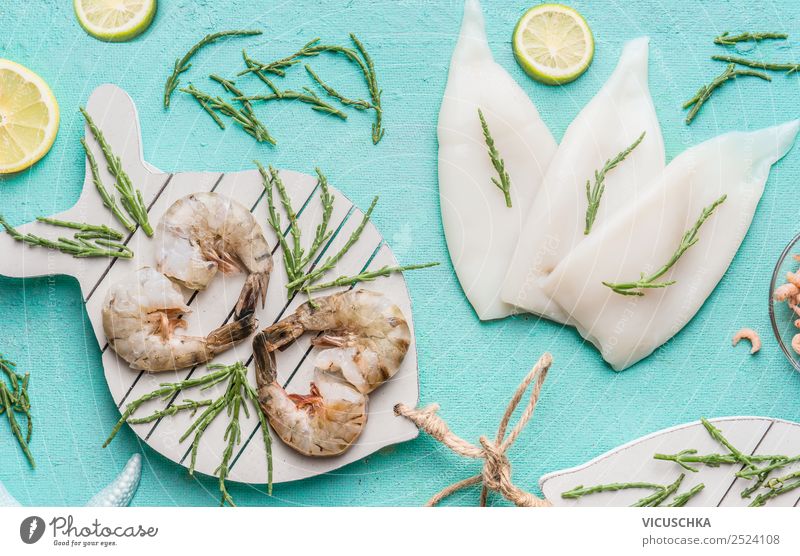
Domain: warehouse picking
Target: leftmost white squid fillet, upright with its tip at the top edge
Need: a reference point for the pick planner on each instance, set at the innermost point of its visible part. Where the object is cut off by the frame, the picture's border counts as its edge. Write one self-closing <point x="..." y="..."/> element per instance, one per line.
<point x="481" y="230"/>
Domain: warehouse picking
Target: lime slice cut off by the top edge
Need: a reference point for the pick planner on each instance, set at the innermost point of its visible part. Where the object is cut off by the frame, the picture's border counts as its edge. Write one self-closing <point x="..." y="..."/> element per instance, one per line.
<point x="115" y="20"/>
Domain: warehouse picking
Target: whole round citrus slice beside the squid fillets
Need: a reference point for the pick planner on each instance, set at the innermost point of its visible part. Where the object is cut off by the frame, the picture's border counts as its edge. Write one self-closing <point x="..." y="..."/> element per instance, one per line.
<point x="553" y="44"/>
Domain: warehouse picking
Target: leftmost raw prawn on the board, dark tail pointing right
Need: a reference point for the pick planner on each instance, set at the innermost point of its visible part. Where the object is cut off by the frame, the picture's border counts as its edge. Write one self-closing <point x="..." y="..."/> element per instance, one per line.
<point x="140" y="317"/>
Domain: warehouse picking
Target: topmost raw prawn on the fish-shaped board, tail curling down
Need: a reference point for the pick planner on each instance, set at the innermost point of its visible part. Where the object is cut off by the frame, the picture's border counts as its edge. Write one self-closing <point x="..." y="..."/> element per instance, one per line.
<point x="206" y="232"/>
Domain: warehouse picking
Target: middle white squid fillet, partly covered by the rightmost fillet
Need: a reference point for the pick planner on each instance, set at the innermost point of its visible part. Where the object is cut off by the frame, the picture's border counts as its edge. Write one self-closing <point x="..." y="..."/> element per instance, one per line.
<point x="610" y="123"/>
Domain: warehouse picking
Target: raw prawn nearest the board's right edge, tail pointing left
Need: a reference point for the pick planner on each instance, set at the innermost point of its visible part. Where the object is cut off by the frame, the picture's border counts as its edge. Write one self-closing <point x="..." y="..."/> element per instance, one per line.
<point x="367" y="336"/>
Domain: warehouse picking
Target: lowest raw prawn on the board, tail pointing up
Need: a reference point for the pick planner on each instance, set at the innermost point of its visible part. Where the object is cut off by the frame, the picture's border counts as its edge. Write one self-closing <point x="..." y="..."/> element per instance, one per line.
<point x="324" y="422"/>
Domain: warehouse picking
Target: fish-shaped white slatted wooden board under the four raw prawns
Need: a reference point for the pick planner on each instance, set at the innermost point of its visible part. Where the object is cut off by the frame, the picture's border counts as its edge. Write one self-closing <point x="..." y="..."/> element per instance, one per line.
<point x="115" y="114"/>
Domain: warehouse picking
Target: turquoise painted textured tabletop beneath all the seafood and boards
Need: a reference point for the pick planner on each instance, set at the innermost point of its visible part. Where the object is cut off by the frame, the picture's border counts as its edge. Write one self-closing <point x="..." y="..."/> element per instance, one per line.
<point x="470" y="368"/>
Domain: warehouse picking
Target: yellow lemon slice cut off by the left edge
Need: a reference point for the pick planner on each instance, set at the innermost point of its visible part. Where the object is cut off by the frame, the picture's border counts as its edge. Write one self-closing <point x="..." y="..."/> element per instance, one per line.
<point x="28" y="117"/>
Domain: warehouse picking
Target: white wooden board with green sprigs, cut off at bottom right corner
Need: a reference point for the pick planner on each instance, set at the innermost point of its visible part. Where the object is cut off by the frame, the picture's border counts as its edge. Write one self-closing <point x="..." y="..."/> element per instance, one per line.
<point x="634" y="462"/>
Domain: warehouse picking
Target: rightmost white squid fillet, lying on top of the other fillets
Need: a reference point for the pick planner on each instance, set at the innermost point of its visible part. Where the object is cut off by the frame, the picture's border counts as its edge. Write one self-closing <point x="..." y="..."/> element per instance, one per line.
<point x="645" y="234"/>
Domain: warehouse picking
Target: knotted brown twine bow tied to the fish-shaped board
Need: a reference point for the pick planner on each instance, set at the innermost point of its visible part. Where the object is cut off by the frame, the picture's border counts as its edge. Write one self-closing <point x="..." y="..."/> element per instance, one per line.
<point x="496" y="473"/>
